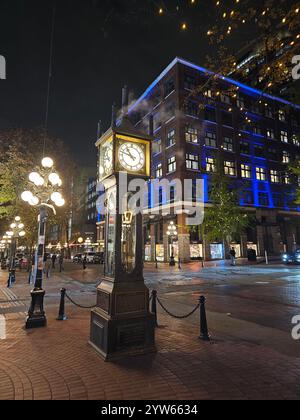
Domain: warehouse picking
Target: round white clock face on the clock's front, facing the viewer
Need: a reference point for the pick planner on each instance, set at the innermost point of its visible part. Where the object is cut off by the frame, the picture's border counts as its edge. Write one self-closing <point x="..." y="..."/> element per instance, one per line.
<point x="132" y="157"/>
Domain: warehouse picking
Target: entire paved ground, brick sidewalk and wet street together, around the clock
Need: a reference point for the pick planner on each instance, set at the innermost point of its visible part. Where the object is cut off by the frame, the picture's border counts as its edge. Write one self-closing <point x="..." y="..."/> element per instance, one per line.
<point x="251" y="356"/>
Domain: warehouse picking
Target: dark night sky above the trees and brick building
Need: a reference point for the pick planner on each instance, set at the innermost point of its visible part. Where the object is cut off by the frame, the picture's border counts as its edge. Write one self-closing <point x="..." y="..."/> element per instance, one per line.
<point x="99" y="45"/>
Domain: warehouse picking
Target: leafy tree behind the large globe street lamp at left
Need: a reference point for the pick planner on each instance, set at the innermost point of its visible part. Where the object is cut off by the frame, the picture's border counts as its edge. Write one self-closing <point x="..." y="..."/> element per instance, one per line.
<point x="21" y="152"/>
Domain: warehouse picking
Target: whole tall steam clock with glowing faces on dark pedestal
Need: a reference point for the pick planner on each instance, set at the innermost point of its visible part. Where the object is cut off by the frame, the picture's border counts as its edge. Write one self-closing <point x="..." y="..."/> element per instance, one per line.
<point x="122" y="324"/>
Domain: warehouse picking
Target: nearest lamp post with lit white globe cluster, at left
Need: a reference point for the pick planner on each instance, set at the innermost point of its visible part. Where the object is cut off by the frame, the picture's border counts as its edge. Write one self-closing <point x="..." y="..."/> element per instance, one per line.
<point x="45" y="194"/>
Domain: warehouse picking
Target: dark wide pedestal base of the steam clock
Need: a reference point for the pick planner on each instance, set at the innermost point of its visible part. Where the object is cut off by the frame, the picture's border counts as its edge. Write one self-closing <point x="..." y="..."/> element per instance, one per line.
<point x="121" y="324"/>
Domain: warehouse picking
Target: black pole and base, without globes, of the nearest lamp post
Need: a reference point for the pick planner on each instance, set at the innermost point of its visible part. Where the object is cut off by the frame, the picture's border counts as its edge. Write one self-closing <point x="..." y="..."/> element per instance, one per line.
<point x="36" y="314"/>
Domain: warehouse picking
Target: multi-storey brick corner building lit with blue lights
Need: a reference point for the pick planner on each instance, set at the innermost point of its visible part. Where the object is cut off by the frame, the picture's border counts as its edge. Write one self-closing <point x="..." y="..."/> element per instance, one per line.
<point x="255" y="136"/>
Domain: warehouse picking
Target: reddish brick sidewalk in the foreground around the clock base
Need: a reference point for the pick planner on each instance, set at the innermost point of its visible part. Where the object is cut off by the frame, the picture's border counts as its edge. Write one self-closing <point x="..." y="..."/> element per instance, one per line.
<point x="57" y="363"/>
